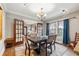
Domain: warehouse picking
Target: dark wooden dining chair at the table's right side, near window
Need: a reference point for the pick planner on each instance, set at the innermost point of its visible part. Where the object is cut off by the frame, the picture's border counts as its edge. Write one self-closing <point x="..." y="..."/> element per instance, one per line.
<point x="48" y="43"/>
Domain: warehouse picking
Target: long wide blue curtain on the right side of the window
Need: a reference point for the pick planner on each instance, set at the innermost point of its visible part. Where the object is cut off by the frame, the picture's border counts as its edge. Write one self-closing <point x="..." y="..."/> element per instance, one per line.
<point x="66" y="32"/>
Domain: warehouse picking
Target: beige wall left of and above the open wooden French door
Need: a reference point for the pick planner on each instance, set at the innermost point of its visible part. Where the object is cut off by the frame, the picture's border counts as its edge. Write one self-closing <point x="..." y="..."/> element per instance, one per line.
<point x="10" y="24"/>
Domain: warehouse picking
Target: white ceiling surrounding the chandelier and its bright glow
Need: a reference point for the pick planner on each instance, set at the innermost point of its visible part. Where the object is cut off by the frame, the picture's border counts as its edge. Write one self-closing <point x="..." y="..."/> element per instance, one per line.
<point x="24" y="10"/>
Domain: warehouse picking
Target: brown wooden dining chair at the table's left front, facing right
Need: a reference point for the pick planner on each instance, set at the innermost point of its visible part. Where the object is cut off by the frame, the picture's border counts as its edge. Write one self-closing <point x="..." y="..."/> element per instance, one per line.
<point x="28" y="46"/>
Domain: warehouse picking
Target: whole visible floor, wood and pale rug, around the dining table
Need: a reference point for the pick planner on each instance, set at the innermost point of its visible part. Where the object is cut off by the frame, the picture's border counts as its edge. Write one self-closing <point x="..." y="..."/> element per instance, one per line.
<point x="20" y="51"/>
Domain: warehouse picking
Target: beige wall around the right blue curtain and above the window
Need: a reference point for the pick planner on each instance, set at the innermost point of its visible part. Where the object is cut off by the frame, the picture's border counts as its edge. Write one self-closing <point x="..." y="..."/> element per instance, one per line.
<point x="73" y="23"/>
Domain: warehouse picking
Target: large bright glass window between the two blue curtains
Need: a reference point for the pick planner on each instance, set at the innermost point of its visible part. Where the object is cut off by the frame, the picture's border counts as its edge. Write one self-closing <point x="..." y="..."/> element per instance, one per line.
<point x="57" y="28"/>
